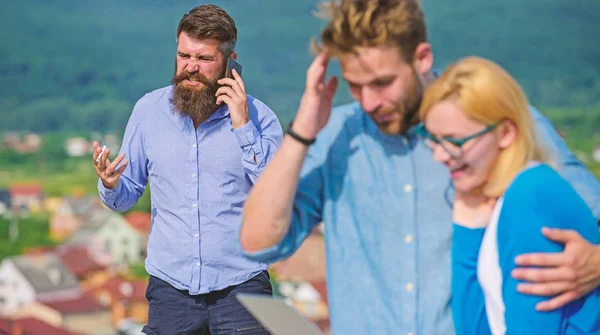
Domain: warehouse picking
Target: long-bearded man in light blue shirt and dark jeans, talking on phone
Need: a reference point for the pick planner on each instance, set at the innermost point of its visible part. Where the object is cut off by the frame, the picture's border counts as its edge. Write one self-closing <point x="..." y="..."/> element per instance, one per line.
<point x="203" y="143"/>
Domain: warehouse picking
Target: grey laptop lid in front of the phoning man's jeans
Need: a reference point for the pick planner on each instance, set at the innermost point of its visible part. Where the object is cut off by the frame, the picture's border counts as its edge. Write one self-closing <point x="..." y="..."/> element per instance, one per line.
<point x="277" y="316"/>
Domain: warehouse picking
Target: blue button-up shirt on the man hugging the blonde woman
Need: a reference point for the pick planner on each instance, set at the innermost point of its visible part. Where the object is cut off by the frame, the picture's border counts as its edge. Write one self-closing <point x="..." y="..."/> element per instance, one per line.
<point x="386" y="206"/>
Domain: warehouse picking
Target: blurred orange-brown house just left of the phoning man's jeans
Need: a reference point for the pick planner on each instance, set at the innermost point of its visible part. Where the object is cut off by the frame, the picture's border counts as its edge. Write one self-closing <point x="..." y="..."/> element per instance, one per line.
<point x="126" y="298"/>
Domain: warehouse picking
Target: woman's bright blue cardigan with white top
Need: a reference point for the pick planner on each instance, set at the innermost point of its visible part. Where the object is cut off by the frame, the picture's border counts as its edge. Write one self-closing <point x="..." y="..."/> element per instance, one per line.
<point x="537" y="198"/>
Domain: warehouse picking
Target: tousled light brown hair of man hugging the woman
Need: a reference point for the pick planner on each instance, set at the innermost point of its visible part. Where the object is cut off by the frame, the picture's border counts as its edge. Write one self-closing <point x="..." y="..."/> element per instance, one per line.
<point x="354" y="24"/>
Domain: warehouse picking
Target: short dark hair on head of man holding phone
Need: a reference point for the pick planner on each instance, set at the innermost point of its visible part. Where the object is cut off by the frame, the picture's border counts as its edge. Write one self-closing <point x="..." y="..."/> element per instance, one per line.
<point x="210" y="22"/>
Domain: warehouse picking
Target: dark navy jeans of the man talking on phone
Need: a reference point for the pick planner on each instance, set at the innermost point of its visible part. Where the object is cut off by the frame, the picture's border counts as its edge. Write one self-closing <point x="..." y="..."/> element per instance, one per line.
<point x="174" y="311"/>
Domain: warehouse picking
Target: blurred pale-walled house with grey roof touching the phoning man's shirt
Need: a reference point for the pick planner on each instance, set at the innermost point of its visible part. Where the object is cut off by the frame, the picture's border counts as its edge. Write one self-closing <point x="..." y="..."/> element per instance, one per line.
<point x="106" y="231"/>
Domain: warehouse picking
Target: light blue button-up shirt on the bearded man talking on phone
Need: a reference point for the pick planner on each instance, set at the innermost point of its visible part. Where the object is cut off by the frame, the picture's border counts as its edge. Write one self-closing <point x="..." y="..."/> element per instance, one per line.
<point x="199" y="180"/>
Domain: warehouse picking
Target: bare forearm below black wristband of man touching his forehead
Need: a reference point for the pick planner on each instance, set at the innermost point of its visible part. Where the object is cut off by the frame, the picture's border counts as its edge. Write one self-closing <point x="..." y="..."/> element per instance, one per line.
<point x="268" y="208"/>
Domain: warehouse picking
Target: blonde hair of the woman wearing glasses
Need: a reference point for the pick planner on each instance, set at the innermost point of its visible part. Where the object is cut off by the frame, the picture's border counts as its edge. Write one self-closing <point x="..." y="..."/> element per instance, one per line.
<point x="485" y="92"/>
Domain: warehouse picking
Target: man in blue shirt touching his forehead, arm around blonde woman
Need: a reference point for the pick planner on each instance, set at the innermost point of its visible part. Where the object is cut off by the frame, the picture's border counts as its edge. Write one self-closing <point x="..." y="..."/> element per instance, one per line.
<point x="386" y="205"/>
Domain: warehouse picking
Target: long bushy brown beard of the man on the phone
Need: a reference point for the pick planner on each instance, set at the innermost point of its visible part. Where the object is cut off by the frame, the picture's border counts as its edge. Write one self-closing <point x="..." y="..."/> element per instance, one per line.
<point x="197" y="102"/>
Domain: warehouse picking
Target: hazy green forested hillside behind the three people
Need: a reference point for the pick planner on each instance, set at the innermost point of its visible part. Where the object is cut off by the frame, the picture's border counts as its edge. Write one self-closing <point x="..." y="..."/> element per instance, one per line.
<point x="82" y="64"/>
